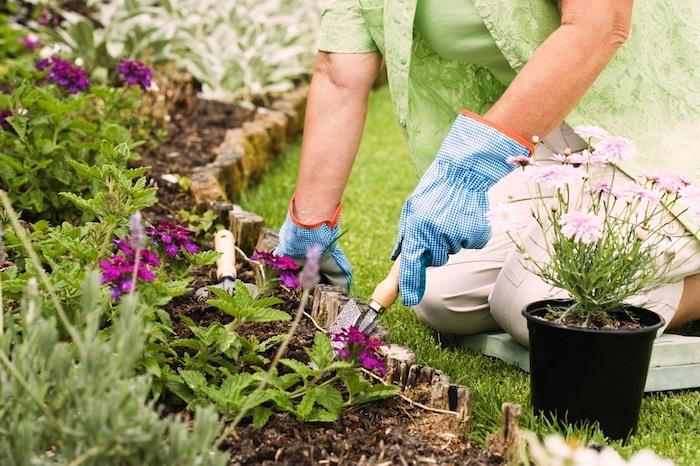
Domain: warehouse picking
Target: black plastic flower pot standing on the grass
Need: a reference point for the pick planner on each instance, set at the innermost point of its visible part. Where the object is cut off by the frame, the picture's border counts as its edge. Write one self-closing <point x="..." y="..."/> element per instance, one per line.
<point x="586" y="376"/>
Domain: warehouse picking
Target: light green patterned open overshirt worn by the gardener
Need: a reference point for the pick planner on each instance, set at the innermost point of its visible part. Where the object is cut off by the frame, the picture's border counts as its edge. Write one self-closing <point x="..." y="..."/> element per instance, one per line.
<point x="649" y="92"/>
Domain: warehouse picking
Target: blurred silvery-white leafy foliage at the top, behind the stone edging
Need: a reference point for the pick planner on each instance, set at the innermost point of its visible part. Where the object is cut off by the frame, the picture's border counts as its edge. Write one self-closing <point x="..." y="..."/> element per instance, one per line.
<point x="237" y="49"/>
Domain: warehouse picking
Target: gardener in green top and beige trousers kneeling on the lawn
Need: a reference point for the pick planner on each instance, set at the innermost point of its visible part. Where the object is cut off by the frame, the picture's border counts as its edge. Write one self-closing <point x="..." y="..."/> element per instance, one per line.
<point x="525" y="65"/>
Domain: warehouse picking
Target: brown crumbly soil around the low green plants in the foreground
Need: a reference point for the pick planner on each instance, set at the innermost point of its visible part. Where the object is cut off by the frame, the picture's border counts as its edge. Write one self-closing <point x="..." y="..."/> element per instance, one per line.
<point x="388" y="432"/>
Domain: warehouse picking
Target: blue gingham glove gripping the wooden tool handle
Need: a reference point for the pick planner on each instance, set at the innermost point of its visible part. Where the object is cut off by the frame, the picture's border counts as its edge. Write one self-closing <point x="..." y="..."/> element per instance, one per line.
<point x="447" y="210"/>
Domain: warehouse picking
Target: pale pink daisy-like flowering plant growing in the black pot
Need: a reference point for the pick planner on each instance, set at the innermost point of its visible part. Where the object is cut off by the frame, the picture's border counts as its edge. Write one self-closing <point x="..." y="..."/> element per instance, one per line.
<point x="602" y="234"/>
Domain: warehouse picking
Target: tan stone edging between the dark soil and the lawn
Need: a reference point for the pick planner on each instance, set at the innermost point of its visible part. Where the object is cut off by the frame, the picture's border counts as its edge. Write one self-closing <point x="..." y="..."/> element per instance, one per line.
<point x="247" y="151"/>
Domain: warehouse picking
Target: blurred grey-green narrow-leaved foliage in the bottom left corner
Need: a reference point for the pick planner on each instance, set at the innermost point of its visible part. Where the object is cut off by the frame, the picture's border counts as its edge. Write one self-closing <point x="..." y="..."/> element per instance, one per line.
<point x="82" y="402"/>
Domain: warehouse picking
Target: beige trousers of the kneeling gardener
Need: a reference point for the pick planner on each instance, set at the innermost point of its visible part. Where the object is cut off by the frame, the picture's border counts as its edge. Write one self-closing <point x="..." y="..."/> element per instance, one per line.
<point x="480" y="290"/>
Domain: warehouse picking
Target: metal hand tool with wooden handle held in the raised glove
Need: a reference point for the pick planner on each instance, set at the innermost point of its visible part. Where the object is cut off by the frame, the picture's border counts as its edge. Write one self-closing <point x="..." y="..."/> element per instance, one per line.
<point x="365" y="320"/>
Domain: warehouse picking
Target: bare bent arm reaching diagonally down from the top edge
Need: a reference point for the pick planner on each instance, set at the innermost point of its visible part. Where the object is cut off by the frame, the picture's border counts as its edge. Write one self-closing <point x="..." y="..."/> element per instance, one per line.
<point x="564" y="67"/>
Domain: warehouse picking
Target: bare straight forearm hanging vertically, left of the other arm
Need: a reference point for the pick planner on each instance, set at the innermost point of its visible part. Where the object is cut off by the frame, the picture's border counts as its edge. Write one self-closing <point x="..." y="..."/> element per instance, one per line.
<point x="335" y="118"/>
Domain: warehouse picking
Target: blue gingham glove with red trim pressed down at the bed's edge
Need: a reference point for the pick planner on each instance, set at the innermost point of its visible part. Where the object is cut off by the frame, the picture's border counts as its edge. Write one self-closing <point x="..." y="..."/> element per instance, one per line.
<point x="296" y="238"/>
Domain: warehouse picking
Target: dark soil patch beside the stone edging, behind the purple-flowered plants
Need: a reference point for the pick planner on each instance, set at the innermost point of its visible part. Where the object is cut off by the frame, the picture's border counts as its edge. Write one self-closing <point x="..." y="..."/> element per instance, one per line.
<point x="195" y="129"/>
